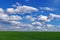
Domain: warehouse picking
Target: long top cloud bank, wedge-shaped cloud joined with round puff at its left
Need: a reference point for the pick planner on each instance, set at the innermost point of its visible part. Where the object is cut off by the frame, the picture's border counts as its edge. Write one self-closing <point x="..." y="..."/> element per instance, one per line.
<point x="22" y="9"/>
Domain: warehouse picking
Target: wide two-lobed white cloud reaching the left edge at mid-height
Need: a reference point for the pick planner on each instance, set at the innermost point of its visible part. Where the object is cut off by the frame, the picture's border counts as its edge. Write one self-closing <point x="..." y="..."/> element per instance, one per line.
<point x="5" y="17"/>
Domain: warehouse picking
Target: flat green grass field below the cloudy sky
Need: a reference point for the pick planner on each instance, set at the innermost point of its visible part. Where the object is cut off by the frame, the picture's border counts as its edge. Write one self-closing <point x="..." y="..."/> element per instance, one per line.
<point x="29" y="35"/>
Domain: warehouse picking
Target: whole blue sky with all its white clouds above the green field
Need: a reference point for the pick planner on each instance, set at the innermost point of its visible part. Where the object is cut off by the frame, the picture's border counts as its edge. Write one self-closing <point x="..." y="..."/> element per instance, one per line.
<point x="30" y="15"/>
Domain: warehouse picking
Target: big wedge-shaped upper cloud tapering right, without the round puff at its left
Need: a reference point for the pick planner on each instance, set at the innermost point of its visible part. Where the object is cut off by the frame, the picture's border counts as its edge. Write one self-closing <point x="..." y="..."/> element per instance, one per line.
<point x="25" y="9"/>
